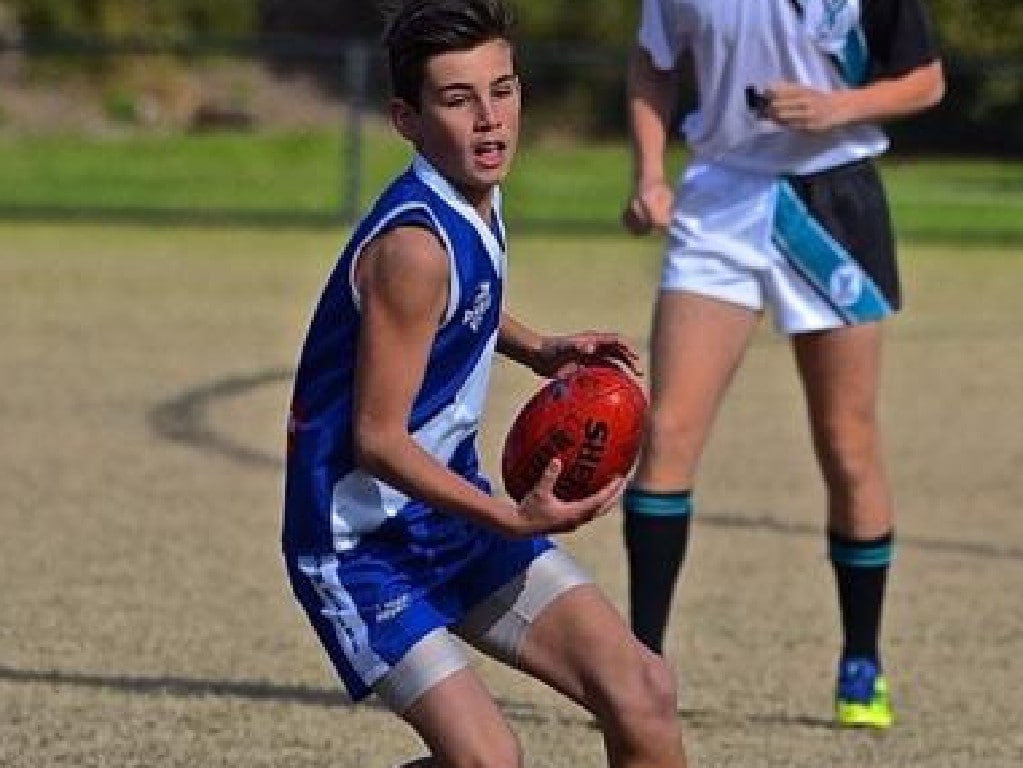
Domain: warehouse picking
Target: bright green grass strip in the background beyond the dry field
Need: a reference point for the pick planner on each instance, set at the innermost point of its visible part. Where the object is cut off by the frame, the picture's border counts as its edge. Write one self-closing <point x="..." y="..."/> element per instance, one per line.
<point x="565" y="187"/>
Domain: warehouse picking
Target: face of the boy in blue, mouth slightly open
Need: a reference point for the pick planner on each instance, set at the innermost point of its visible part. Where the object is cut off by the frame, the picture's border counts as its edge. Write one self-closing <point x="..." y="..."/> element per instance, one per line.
<point x="468" y="124"/>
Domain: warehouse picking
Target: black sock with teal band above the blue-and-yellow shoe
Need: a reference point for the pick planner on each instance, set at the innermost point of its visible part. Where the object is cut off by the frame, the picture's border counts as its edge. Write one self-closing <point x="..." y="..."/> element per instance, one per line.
<point x="861" y="574"/>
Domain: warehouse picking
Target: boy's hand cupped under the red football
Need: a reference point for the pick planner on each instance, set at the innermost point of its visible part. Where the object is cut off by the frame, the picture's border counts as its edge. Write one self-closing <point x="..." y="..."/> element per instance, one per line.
<point x="543" y="513"/>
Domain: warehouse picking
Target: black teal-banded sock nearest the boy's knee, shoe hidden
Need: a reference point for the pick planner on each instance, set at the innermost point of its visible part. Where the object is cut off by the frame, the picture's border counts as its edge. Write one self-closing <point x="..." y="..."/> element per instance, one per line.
<point x="657" y="528"/>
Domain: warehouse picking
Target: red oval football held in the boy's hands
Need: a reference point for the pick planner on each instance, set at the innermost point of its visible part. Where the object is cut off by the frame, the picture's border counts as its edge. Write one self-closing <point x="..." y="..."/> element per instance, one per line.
<point x="593" y="421"/>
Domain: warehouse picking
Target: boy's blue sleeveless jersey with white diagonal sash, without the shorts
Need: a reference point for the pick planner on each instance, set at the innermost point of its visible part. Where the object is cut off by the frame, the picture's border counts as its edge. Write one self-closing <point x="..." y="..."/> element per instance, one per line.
<point x="332" y="506"/>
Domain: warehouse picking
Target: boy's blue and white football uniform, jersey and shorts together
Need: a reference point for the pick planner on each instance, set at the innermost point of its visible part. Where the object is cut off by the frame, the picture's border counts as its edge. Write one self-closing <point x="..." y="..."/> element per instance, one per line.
<point x="376" y="570"/>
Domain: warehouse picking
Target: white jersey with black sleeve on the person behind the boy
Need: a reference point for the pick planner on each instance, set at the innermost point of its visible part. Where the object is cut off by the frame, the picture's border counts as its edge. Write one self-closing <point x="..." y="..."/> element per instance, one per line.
<point x="740" y="49"/>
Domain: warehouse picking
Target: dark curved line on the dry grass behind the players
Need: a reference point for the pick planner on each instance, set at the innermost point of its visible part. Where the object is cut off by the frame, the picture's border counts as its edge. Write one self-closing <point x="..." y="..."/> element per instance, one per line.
<point x="185" y="420"/>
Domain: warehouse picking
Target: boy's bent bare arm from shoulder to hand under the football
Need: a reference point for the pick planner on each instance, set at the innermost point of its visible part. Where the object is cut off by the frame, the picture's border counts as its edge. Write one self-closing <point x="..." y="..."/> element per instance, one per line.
<point x="404" y="288"/>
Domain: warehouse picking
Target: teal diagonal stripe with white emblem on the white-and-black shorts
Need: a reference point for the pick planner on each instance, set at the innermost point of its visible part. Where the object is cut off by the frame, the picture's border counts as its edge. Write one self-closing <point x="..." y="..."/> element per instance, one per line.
<point x="824" y="263"/>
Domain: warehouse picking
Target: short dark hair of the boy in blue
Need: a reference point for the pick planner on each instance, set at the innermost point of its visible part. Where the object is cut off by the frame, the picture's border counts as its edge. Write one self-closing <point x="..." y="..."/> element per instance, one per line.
<point x="419" y="30"/>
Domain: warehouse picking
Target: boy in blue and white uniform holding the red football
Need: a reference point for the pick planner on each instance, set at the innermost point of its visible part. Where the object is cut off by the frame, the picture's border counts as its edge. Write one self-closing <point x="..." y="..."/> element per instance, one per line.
<point x="393" y="540"/>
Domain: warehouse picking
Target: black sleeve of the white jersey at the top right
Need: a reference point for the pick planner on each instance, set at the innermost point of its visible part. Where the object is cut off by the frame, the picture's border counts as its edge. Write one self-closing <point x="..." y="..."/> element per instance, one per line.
<point x="900" y="37"/>
